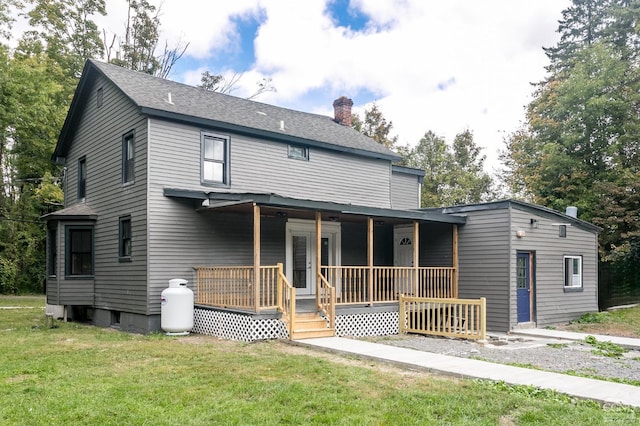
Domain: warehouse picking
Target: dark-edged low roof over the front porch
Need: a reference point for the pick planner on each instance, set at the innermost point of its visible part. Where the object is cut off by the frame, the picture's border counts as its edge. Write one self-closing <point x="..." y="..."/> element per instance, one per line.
<point x="215" y="200"/>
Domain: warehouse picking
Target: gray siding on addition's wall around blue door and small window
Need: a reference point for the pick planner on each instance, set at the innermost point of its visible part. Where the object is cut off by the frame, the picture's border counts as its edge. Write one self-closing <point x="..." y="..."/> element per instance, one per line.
<point x="552" y="304"/>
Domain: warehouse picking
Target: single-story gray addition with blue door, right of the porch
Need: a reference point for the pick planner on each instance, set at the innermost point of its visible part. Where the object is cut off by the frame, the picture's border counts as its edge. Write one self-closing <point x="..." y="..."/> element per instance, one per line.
<point x="535" y="266"/>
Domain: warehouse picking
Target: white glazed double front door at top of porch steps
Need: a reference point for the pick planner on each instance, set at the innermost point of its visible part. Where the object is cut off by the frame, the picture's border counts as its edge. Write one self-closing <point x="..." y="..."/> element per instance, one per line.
<point x="301" y="252"/>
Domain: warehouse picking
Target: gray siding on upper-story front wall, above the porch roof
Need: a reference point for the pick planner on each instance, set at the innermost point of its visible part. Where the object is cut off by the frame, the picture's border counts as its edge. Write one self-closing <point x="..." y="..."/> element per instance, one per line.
<point x="261" y="166"/>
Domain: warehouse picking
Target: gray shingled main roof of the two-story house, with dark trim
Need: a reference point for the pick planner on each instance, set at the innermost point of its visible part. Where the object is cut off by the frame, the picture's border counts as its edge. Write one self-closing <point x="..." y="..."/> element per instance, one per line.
<point x="170" y="100"/>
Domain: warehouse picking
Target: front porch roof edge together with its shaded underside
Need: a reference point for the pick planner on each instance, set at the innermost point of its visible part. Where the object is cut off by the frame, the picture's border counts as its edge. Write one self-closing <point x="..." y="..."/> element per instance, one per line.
<point x="305" y="209"/>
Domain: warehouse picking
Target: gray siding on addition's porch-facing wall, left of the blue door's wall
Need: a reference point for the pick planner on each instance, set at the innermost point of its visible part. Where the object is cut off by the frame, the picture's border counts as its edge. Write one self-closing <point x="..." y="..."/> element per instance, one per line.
<point x="483" y="254"/>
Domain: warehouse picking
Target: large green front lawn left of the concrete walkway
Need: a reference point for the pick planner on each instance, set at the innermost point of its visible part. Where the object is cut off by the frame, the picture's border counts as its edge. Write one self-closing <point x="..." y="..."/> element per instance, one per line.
<point x="76" y="375"/>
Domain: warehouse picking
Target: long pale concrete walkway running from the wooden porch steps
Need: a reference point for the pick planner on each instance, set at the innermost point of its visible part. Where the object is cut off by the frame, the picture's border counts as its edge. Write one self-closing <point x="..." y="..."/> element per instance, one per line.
<point x="599" y="390"/>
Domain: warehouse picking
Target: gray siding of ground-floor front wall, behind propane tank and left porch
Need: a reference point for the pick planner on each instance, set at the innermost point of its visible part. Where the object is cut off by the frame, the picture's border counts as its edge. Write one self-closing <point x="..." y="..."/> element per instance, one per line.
<point x="182" y="238"/>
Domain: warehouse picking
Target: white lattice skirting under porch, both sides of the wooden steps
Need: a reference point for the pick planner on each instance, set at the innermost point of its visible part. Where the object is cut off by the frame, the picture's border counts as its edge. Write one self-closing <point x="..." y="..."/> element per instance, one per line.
<point x="234" y="326"/>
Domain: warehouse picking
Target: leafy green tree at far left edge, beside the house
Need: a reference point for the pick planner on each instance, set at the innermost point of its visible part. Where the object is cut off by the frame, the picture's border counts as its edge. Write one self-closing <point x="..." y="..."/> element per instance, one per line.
<point x="31" y="114"/>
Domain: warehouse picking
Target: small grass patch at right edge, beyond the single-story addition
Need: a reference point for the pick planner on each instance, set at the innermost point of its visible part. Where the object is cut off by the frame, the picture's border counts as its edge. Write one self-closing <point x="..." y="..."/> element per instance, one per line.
<point x="620" y="322"/>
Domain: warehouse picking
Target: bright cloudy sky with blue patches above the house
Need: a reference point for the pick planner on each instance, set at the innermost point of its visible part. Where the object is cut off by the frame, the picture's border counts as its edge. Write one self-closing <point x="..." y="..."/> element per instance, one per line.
<point x="443" y="66"/>
